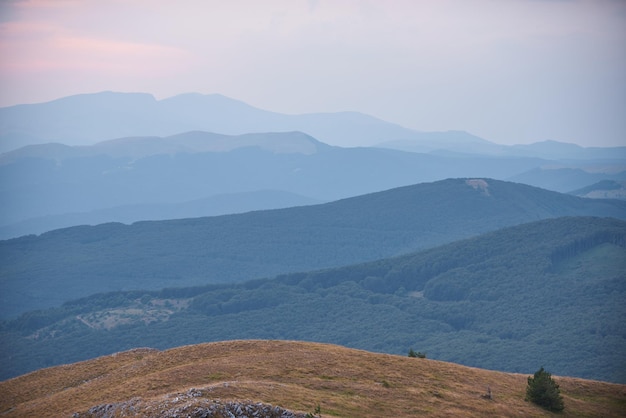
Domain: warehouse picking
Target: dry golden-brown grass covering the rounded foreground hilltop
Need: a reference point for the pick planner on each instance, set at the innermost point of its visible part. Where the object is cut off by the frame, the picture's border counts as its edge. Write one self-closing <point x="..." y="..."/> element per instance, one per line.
<point x="297" y="376"/>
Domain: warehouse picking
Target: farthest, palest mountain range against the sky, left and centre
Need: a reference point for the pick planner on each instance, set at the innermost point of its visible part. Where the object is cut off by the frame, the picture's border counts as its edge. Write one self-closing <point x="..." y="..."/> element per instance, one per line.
<point x="90" y="118"/>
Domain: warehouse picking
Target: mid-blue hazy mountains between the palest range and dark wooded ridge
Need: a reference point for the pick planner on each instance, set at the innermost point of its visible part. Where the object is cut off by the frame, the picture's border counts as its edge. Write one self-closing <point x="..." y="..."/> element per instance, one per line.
<point x="50" y="186"/>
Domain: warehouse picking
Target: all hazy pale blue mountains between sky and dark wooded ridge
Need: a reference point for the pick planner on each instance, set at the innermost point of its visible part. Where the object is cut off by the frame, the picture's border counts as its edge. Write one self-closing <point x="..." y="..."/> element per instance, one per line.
<point x="100" y="157"/>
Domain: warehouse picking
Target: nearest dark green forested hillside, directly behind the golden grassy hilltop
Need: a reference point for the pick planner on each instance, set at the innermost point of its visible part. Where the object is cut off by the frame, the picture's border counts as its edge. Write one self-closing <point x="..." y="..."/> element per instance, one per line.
<point x="545" y="293"/>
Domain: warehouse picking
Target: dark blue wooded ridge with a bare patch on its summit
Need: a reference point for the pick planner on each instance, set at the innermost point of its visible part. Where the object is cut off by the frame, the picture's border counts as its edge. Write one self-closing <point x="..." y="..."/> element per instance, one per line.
<point x="44" y="271"/>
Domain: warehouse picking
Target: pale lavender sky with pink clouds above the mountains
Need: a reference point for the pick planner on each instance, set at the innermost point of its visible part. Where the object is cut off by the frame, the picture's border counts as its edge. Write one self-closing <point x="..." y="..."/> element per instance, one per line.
<point x="509" y="71"/>
